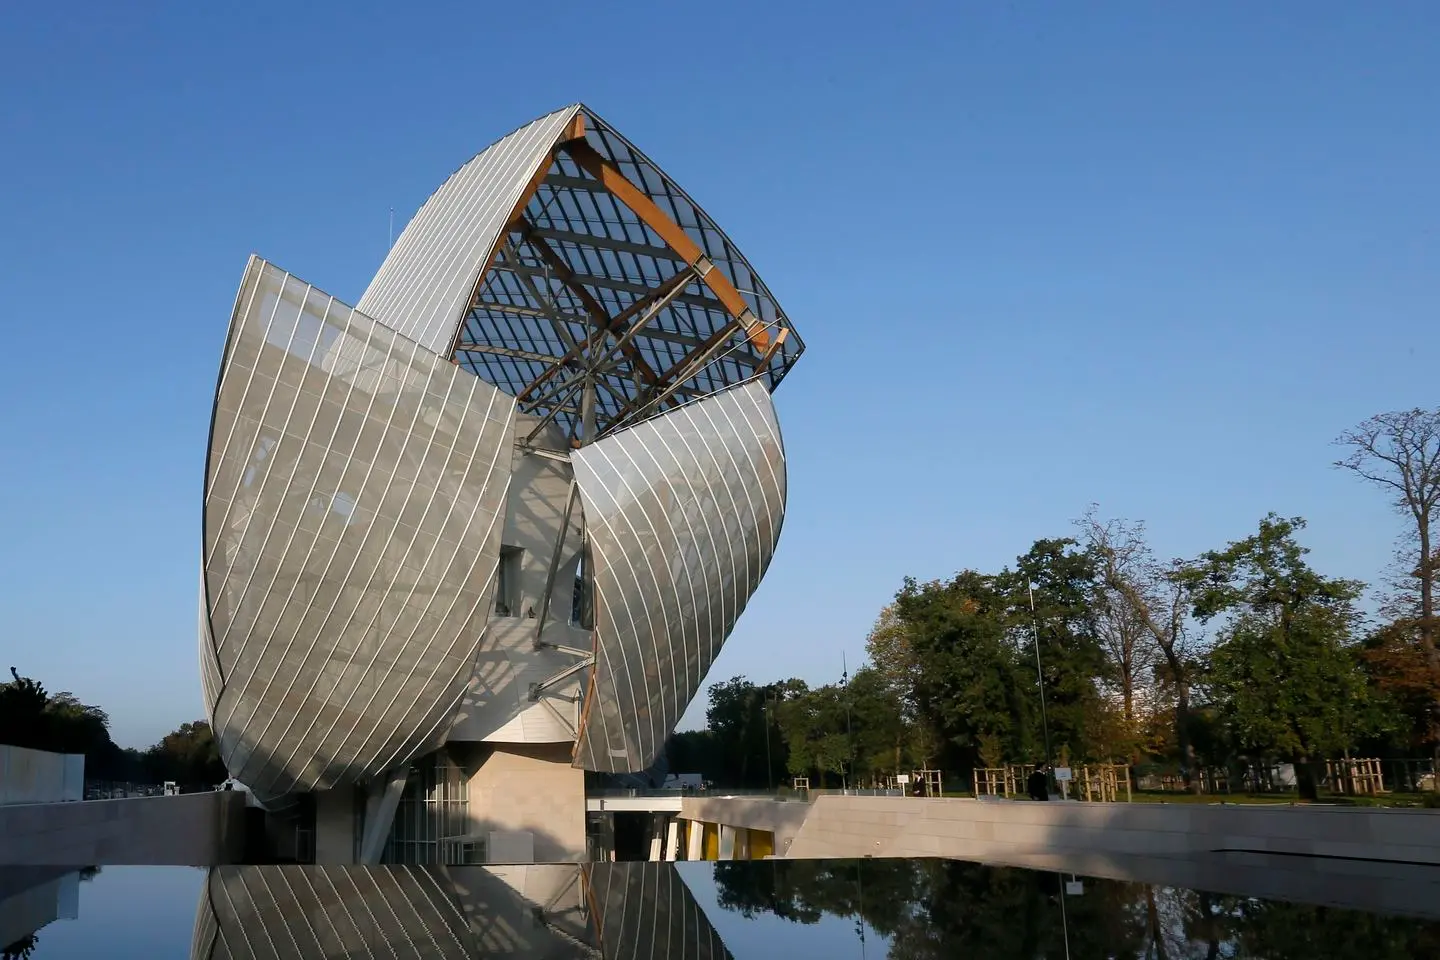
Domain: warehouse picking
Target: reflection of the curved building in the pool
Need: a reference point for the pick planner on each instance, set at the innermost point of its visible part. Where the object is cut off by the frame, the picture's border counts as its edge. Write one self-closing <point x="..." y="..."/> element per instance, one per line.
<point x="551" y="912"/>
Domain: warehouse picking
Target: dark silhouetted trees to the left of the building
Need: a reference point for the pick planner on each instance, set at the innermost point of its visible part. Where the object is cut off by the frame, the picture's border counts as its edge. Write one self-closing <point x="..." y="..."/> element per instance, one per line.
<point x="35" y="719"/>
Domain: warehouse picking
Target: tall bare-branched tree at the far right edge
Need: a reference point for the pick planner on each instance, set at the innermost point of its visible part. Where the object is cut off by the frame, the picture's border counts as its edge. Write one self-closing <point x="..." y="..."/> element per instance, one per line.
<point x="1400" y="453"/>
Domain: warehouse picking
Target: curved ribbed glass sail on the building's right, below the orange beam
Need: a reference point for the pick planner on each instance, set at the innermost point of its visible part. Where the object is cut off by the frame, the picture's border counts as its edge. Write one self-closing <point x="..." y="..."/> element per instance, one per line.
<point x="683" y="513"/>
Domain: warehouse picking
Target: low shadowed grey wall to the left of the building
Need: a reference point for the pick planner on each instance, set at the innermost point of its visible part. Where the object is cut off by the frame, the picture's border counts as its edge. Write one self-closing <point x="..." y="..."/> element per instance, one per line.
<point x="197" y="830"/>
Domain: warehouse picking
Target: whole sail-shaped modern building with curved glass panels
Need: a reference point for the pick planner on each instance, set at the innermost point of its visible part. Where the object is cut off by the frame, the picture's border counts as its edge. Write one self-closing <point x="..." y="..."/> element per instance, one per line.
<point x="487" y="529"/>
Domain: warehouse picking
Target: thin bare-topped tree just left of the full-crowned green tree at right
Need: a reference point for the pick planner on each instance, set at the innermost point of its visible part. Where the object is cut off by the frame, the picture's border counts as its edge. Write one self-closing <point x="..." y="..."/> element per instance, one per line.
<point x="1138" y="589"/>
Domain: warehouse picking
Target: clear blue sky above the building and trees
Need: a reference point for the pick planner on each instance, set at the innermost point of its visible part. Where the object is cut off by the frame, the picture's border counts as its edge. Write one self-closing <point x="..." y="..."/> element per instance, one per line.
<point x="1148" y="255"/>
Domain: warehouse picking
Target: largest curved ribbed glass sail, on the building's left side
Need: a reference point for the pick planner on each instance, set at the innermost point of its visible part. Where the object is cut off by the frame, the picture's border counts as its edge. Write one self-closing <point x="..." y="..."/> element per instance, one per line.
<point x="355" y="492"/>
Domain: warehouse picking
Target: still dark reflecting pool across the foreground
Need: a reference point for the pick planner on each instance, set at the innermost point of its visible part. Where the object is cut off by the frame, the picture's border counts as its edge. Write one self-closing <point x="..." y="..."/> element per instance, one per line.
<point x="906" y="910"/>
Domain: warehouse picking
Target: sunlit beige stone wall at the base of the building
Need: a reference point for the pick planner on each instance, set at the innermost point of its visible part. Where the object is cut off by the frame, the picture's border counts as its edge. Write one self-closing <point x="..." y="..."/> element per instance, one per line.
<point x="531" y="788"/>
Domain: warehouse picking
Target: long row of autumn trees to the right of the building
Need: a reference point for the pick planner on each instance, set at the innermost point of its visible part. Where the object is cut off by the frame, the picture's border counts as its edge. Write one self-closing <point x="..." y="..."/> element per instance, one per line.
<point x="1092" y="648"/>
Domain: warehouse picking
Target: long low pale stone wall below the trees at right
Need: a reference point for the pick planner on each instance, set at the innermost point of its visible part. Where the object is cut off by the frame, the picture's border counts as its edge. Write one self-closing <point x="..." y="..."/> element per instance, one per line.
<point x="1017" y="831"/>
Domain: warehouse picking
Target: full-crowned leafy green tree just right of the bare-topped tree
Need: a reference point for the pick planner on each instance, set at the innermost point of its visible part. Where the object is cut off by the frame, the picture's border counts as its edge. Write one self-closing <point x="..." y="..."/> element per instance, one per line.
<point x="1285" y="676"/>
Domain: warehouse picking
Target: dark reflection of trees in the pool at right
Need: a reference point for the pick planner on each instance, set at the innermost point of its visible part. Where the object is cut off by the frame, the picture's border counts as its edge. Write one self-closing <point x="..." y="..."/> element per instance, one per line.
<point x="935" y="910"/>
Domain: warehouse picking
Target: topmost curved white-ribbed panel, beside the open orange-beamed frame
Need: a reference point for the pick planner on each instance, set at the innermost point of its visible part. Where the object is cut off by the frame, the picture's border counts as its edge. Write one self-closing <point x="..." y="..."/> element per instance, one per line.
<point x="426" y="286"/>
